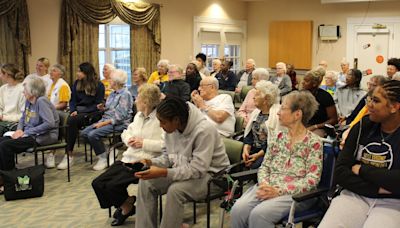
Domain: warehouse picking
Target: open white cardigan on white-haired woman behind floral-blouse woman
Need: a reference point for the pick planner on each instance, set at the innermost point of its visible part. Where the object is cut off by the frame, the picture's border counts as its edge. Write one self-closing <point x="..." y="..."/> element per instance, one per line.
<point x="272" y="122"/>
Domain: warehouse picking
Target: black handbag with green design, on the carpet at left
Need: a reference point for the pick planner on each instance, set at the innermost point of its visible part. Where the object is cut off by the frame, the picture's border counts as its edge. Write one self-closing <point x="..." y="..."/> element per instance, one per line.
<point x="23" y="183"/>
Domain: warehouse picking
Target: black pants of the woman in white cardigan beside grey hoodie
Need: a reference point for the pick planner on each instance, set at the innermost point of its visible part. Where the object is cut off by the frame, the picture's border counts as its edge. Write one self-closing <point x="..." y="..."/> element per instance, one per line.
<point x="111" y="186"/>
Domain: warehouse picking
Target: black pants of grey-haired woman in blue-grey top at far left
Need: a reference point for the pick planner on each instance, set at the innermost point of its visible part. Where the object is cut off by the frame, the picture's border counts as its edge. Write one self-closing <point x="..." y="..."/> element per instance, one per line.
<point x="9" y="147"/>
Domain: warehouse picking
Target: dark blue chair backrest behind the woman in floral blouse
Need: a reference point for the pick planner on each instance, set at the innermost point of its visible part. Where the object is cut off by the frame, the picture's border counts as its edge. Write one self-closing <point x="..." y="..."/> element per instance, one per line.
<point x="328" y="166"/>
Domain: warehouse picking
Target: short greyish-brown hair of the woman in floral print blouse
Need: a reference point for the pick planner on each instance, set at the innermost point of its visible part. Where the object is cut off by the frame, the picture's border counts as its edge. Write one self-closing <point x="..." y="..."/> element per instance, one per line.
<point x="304" y="101"/>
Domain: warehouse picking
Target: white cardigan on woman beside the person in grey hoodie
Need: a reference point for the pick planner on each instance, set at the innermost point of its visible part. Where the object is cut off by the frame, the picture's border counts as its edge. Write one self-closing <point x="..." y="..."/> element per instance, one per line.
<point x="147" y="128"/>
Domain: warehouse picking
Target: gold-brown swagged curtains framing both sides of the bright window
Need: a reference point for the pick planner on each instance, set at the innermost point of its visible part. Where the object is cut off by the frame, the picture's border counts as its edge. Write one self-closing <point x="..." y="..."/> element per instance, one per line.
<point x="79" y="31"/>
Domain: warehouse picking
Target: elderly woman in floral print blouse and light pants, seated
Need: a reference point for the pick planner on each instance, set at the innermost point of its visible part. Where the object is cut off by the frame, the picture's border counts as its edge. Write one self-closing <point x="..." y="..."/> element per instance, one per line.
<point x="292" y="165"/>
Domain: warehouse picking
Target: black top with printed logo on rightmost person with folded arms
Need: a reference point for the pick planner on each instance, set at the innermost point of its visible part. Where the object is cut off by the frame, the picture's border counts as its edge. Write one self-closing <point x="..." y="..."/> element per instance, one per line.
<point x="379" y="156"/>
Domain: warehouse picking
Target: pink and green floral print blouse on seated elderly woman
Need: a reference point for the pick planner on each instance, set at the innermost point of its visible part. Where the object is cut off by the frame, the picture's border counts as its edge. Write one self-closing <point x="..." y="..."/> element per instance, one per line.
<point x="294" y="168"/>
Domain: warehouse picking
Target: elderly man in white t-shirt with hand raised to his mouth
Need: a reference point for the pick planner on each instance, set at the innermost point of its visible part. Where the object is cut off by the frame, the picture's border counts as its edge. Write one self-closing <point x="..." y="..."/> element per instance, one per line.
<point x="218" y="109"/>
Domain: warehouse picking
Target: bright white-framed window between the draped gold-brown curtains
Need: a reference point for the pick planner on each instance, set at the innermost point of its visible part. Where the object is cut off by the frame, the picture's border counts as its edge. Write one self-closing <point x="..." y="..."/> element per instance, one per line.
<point x="114" y="47"/>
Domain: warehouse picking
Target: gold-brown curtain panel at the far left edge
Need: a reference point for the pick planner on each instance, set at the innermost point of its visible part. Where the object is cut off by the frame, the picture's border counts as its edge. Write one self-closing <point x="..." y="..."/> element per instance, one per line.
<point x="15" y="41"/>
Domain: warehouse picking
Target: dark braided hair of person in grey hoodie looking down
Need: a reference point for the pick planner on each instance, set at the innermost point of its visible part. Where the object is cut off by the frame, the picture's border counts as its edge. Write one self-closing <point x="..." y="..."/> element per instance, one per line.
<point x="174" y="107"/>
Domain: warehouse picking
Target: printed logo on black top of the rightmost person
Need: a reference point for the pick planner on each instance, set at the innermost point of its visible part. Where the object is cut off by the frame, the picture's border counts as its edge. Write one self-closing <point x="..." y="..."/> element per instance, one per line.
<point x="378" y="154"/>
